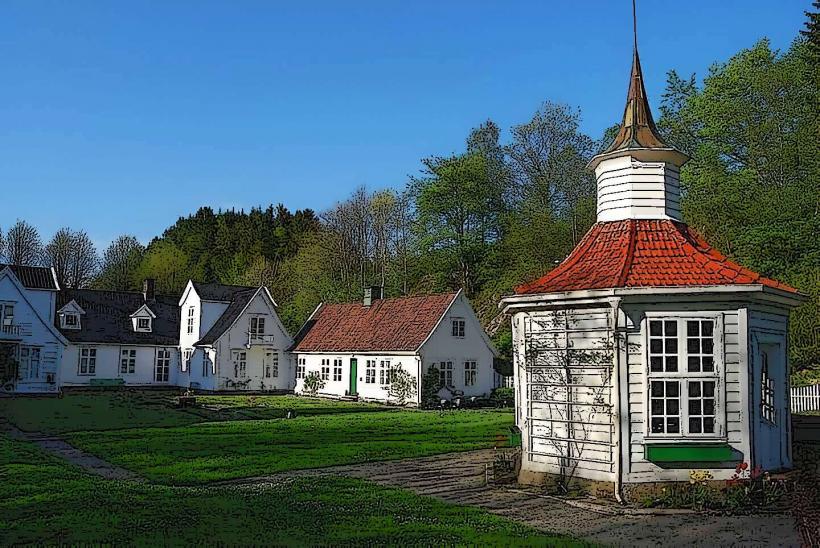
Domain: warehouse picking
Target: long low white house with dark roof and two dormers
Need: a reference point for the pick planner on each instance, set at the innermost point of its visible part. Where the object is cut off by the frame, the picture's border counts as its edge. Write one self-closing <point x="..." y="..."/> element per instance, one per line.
<point x="119" y="338"/>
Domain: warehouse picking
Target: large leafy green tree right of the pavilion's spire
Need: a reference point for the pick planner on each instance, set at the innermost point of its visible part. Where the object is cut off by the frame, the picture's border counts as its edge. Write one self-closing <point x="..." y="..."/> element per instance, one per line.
<point x="751" y="187"/>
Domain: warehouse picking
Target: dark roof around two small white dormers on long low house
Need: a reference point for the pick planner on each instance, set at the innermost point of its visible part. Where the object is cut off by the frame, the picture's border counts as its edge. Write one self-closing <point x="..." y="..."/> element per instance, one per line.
<point x="107" y="317"/>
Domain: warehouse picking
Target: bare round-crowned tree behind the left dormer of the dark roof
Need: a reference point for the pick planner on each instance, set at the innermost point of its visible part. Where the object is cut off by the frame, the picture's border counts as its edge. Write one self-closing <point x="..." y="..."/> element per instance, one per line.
<point x="73" y="257"/>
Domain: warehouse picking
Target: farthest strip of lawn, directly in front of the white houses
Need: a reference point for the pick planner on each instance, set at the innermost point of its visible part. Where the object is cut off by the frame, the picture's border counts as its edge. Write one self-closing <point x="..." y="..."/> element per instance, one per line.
<point x="119" y="409"/>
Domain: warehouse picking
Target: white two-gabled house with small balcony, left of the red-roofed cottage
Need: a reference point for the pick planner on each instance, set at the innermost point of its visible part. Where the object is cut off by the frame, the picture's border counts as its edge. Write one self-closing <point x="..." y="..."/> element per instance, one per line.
<point x="231" y="338"/>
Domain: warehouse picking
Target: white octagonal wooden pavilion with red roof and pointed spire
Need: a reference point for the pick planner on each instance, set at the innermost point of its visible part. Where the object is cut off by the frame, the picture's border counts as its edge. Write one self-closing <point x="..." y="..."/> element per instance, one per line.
<point x="646" y="353"/>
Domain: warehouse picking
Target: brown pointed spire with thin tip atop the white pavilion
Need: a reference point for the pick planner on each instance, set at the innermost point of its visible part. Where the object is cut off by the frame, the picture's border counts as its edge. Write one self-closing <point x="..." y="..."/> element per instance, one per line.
<point x="637" y="128"/>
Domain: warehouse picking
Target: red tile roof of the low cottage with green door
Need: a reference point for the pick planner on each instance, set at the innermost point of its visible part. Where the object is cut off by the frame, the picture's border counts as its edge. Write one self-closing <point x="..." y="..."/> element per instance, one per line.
<point x="400" y="324"/>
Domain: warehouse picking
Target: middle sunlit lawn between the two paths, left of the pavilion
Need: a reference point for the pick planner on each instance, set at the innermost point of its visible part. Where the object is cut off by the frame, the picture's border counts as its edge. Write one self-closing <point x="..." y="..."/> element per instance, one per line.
<point x="204" y="452"/>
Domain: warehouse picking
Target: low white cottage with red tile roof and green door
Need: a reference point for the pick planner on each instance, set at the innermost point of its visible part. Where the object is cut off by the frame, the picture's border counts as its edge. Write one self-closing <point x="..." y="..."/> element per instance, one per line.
<point x="353" y="347"/>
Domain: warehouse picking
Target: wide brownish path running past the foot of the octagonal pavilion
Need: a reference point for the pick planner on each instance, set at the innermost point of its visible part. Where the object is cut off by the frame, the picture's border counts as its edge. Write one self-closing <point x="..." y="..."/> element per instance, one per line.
<point x="460" y="478"/>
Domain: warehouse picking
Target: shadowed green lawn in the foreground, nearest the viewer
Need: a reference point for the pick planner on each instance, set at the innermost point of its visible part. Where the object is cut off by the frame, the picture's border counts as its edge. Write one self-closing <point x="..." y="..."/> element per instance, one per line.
<point x="43" y="500"/>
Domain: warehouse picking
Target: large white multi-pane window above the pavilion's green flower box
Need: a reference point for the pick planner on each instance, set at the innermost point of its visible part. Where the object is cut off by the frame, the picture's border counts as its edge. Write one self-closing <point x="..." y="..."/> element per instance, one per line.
<point x="682" y="401"/>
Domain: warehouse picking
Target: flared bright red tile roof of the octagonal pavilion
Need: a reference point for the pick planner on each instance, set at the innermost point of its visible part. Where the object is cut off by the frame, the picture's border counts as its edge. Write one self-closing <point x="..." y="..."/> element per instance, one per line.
<point x="644" y="253"/>
